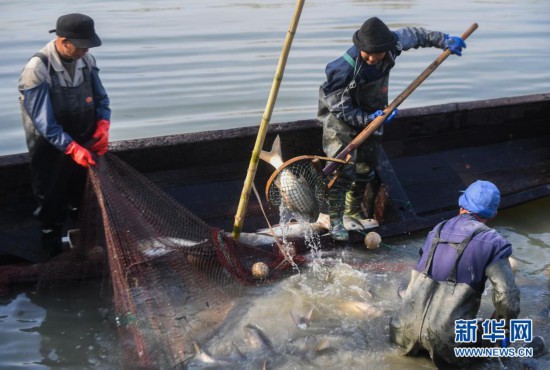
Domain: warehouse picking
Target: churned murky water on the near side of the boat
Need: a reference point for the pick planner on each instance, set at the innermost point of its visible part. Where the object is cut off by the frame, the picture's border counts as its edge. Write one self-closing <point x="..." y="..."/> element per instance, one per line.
<point x="74" y="327"/>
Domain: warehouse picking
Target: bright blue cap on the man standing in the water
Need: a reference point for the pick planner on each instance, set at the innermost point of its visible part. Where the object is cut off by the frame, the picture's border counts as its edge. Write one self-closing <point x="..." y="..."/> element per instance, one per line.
<point x="481" y="198"/>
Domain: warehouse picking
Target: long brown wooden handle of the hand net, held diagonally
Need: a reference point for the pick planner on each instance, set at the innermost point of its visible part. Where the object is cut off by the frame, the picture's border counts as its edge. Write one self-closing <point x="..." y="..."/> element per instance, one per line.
<point x="367" y="131"/>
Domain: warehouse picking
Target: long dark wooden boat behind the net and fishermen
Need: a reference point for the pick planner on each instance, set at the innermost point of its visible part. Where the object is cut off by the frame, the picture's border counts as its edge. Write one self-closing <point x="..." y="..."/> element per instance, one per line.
<point x="429" y="154"/>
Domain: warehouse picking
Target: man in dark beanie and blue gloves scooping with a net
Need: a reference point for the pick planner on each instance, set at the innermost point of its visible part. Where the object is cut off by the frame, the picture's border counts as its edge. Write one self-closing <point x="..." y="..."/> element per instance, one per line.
<point x="353" y="95"/>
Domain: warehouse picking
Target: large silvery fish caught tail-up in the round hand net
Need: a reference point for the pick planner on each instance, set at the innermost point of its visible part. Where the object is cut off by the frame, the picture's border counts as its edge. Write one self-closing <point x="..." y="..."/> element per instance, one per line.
<point x="295" y="191"/>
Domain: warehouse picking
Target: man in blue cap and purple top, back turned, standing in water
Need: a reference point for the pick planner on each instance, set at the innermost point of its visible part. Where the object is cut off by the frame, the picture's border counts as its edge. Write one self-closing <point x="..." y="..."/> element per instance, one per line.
<point x="457" y="259"/>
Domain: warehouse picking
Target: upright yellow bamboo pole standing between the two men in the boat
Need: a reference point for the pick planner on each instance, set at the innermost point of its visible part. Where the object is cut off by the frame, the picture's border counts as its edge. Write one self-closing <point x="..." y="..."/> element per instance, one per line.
<point x="253" y="165"/>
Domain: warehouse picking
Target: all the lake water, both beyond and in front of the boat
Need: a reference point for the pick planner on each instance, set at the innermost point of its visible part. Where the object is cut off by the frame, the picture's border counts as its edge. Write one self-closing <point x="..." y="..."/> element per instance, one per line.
<point x="173" y="67"/>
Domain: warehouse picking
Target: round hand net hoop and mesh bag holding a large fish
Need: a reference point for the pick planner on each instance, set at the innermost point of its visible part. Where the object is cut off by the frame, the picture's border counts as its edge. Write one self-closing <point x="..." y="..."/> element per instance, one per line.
<point x="300" y="186"/>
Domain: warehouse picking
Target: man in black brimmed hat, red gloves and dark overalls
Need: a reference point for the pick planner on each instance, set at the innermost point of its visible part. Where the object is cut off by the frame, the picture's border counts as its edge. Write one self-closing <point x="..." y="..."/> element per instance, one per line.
<point x="66" y="118"/>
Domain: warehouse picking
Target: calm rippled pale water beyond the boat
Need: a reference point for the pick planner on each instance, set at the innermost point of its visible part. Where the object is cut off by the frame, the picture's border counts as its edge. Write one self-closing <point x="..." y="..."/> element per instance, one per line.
<point x="184" y="66"/>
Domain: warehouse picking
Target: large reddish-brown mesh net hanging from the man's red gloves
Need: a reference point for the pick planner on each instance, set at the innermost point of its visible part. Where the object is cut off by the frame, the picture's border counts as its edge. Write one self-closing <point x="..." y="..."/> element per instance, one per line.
<point x="175" y="279"/>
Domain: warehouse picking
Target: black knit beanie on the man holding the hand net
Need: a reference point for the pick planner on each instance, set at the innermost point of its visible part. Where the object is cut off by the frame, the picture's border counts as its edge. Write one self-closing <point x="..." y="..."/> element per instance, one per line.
<point x="374" y="36"/>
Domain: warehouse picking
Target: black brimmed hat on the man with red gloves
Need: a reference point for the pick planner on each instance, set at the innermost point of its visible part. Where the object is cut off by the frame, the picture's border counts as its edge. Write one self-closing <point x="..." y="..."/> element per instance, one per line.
<point x="78" y="29"/>
